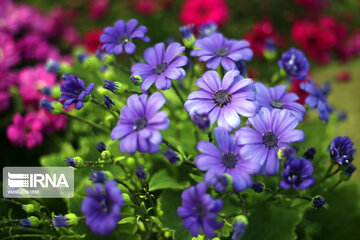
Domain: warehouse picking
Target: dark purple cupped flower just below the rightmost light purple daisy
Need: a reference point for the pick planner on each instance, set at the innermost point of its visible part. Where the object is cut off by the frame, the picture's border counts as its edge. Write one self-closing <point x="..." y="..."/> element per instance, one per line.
<point x="297" y="173"/>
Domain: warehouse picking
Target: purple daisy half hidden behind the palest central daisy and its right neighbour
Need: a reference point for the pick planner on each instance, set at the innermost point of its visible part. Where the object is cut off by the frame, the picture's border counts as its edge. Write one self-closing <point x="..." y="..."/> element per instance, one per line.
<point x="277" y="97"/>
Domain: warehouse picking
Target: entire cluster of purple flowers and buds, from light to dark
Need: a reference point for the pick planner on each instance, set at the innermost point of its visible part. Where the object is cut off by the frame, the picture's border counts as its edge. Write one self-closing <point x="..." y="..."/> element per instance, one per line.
<point x="256" y="147"/>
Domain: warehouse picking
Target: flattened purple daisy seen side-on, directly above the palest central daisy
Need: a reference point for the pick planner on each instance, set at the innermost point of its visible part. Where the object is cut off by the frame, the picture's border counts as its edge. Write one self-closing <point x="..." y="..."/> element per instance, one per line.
<point x="216" y="49"/>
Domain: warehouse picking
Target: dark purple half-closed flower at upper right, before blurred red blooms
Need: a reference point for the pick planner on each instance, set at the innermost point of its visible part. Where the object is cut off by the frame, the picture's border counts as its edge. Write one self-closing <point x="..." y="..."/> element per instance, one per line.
<point x="294" y="62"/>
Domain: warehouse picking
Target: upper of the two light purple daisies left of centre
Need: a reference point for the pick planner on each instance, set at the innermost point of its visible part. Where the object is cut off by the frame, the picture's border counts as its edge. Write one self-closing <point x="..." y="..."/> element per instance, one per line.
<point x="161" y="66"/>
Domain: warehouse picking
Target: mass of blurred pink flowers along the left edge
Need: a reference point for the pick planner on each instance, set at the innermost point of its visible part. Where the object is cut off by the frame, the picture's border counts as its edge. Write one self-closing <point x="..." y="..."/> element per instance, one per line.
<point x="25" y="47"/>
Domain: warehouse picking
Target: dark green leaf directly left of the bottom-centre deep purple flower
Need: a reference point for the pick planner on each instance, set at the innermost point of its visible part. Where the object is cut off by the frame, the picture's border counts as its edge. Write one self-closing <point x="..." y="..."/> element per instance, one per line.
<point x="169" y="201"/>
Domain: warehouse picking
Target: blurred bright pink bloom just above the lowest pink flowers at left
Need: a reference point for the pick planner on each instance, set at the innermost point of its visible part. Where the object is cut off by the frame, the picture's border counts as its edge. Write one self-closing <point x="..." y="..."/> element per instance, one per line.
<point x="31" y="81"/>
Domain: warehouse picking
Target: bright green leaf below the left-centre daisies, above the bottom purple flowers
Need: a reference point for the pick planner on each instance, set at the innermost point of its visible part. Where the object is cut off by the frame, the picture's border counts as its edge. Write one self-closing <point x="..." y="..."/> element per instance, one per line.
<point x="163" y="180"/>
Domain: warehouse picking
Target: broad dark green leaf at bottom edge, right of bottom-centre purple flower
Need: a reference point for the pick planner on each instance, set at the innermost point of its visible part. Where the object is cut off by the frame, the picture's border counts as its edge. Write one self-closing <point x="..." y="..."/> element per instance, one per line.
<point x="273" y="222"/>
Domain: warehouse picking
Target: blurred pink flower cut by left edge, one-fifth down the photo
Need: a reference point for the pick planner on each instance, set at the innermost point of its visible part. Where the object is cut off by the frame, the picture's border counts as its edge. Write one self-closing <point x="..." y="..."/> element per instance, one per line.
<point x="9" y="55"/>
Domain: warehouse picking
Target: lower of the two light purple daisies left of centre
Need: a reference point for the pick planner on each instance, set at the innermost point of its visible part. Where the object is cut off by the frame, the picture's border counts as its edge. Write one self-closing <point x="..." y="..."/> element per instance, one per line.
<point x="140" y="122"/>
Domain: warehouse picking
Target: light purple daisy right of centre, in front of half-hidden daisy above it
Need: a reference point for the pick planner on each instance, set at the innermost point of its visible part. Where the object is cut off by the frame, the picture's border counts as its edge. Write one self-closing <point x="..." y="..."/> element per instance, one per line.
<point x="272" y="131"/>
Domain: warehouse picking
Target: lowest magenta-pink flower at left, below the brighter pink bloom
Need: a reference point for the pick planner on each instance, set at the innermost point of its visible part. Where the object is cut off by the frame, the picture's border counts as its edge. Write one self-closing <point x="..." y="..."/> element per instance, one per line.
<point x="25" y="131"/>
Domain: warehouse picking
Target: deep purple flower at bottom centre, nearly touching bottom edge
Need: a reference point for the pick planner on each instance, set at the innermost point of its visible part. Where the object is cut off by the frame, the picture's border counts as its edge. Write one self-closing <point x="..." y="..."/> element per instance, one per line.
<point x="199" y="210"/>
